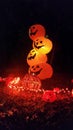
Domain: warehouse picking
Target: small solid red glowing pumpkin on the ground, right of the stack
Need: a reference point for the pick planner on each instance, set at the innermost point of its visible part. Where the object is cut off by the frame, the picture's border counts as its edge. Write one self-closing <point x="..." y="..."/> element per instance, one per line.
<point x="49" y="95"/>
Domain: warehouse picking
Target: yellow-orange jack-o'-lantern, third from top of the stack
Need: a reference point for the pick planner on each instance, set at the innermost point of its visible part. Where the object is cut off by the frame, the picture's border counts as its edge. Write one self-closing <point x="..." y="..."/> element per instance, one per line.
<point x="34" y="57"/>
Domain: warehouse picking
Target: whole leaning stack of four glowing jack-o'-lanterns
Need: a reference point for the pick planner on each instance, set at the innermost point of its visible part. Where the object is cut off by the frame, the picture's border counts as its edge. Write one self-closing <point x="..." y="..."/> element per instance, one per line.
<point x="37" y="57"/>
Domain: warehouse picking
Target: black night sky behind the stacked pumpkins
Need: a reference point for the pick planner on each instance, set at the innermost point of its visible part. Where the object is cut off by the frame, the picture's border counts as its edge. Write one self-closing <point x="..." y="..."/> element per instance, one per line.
<point x="16" y="16"/>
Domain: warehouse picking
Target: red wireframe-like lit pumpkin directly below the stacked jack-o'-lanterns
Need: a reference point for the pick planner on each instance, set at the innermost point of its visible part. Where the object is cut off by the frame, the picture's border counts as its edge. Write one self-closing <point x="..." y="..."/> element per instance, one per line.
<point x="31" y="82"/>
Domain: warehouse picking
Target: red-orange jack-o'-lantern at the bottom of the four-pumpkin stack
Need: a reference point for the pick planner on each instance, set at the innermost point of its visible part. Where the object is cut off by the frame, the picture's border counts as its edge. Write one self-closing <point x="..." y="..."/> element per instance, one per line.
<point x="43" y="70"/>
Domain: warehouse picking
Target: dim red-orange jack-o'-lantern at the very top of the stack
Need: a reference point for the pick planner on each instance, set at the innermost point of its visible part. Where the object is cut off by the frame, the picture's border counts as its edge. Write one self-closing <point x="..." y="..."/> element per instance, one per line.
<point x="36" y="31"/>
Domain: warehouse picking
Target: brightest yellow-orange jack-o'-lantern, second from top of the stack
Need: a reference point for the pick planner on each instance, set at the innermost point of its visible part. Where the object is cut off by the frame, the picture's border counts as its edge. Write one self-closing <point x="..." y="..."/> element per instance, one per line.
<point x="42" y="44"/>
